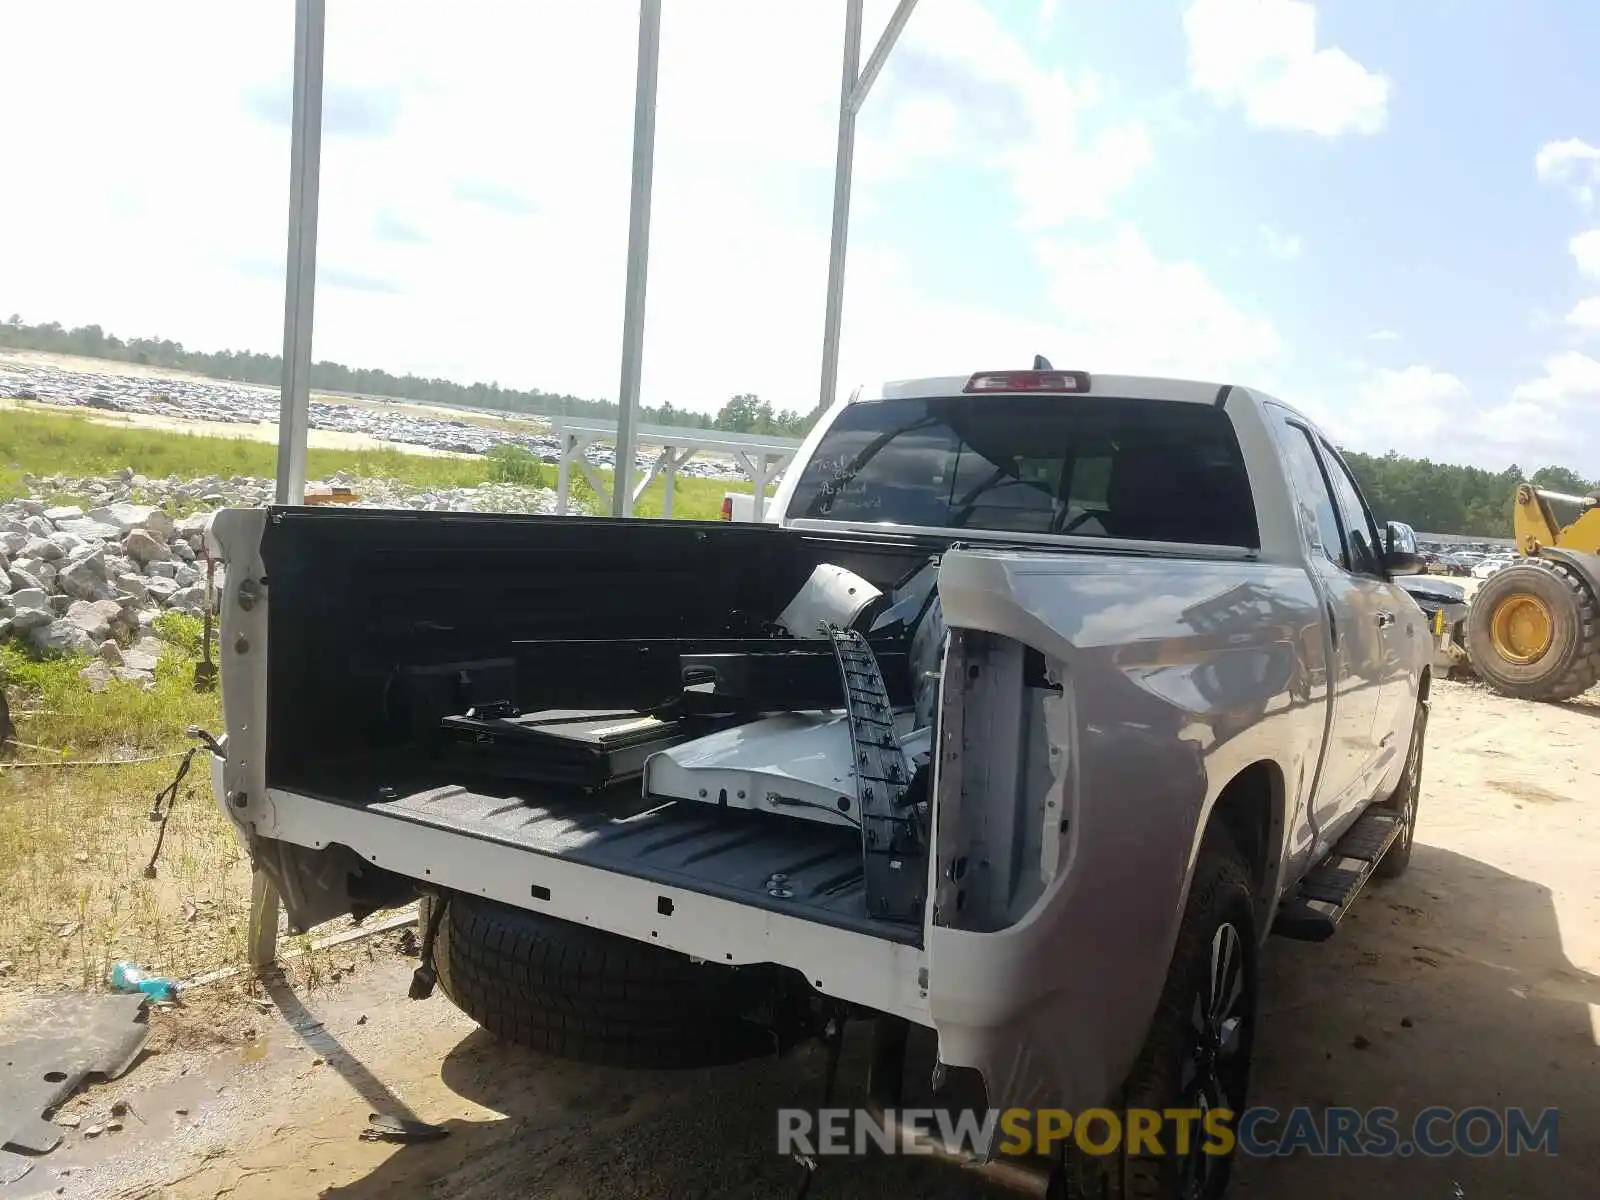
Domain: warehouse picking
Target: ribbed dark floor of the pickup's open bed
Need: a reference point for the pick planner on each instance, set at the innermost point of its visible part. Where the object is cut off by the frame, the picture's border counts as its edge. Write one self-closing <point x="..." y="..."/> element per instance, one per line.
<point x="705" y="849"/>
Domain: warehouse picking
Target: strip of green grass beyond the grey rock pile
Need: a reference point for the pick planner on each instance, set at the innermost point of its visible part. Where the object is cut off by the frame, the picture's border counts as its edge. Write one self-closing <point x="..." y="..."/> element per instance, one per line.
<point x="49" y="444"/>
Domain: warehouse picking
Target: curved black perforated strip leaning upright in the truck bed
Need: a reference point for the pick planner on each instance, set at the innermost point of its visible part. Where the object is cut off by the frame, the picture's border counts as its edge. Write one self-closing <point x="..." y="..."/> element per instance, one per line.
<point x="892" y="844"/>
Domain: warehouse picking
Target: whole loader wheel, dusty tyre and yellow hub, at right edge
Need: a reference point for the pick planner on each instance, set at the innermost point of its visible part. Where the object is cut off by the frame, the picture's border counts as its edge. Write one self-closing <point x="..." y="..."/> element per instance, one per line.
<point x="1534" y="633"/>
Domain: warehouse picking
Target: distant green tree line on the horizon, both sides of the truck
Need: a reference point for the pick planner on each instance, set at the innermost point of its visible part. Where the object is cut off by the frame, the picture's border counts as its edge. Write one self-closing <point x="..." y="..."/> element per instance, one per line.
<point x="1431" y="497"/>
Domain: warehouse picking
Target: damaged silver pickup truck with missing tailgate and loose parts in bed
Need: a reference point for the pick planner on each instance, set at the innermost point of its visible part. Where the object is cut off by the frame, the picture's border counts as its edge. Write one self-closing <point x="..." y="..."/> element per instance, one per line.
<point x="1033" y="708"/>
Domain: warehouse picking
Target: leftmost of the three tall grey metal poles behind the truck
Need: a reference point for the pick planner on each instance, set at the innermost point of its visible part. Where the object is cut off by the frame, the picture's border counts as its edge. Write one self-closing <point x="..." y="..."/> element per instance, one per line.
<point x="300" y="278"/>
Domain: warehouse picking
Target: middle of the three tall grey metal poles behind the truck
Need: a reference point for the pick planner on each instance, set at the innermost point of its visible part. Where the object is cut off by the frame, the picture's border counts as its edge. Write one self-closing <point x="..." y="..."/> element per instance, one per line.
<point x="638" y="254"/>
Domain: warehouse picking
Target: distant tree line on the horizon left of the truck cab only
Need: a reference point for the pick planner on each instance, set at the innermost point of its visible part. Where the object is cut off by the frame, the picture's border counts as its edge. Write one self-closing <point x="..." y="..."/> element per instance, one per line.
<point x="743" y="414"/>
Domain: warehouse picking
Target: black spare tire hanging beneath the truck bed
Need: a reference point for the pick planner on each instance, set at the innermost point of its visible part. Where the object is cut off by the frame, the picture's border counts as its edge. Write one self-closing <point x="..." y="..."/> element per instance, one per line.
<point x="590" y="996"/>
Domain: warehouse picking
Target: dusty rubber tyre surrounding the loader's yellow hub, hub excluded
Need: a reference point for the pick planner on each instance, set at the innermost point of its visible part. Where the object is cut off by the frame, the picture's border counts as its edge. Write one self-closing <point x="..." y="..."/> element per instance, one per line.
<point x="1572" y="663"/>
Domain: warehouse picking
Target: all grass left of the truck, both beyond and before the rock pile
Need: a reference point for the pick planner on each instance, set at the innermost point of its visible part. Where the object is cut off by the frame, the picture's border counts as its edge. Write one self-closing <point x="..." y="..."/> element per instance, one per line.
<point x="74" y="838"/>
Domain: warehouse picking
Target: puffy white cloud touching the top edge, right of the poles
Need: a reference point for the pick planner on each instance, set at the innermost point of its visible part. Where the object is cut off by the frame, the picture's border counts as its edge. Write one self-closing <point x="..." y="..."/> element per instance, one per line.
<point x="1263" y="58"/>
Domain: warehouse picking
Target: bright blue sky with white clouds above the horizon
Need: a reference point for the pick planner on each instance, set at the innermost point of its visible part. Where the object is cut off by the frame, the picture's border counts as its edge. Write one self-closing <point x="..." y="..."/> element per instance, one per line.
<point x="1386" y="214"/>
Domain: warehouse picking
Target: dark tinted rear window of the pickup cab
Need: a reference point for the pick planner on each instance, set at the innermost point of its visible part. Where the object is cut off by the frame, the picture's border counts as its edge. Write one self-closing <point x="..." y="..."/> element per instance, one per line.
<point x="1089" y="466"/>
